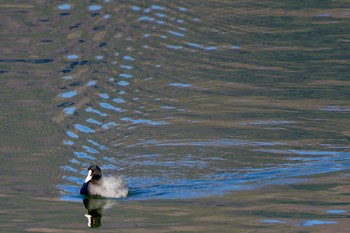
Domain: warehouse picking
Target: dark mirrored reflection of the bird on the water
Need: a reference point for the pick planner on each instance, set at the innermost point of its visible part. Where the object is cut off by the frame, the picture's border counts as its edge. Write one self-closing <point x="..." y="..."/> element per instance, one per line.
<point x="95" y="207"/>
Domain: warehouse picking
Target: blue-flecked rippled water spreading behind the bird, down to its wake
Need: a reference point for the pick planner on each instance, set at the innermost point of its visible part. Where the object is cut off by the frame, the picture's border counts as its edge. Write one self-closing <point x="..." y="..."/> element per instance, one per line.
<point x="190" y="106"/>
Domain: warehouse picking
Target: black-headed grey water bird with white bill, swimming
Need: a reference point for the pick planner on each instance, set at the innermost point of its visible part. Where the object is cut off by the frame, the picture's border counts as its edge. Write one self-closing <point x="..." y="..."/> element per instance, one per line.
<point x="97" y="184"/>
